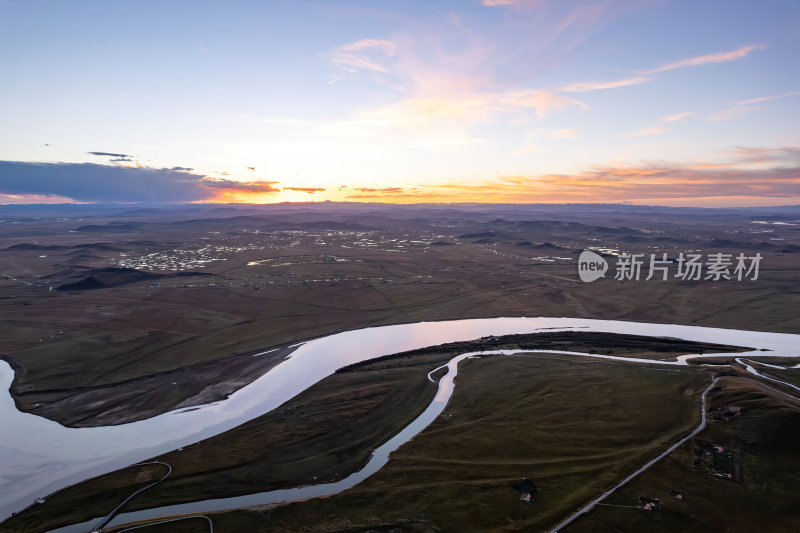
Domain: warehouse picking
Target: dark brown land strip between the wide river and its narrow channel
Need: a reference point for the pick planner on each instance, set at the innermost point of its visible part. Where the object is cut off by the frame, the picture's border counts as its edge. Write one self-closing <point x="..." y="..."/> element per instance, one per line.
<point x="328" y="431"/>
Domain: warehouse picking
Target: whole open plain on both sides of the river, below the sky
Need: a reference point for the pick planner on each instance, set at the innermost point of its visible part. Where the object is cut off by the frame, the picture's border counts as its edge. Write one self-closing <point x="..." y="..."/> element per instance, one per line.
<point x="117" y="315"/>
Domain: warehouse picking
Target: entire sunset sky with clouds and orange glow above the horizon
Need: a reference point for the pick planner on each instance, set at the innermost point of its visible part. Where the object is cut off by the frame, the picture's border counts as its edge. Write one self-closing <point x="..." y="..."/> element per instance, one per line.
<point x="657" y="102"/>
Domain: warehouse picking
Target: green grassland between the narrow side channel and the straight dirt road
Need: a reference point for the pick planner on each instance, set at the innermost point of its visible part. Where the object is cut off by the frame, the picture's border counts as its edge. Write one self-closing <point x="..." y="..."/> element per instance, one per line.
<point x="572" y="426"/>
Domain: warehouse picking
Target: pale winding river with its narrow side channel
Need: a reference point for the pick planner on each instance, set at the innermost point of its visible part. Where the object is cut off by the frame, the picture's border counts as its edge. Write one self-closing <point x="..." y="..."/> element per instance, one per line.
<point x="39" y="456"/>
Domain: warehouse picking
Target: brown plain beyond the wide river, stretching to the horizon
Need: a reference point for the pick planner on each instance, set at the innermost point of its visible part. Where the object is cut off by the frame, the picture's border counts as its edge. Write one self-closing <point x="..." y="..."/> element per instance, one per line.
<point x="270" y="286"/>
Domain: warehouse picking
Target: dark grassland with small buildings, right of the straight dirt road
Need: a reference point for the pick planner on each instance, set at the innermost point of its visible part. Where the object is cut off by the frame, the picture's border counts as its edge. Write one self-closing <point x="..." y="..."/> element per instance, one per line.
<point x="762" y="496"/>
